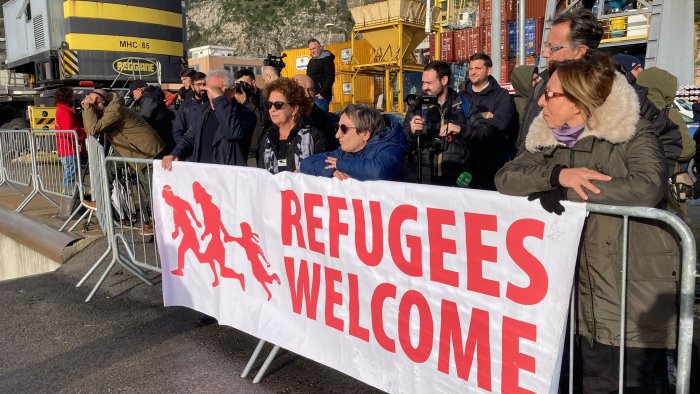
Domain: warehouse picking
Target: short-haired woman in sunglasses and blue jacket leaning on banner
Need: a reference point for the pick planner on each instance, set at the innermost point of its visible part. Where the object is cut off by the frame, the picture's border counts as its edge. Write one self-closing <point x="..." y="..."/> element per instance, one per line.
<point x="372" y="147"/>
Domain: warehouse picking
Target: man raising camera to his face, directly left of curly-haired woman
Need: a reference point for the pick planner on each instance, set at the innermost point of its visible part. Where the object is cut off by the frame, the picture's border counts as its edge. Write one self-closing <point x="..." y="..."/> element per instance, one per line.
<point x="248" y="94"/>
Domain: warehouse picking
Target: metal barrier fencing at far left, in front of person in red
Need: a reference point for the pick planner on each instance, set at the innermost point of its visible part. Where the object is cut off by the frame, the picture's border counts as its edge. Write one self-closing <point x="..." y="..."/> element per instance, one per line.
<point x="30" y="158"/>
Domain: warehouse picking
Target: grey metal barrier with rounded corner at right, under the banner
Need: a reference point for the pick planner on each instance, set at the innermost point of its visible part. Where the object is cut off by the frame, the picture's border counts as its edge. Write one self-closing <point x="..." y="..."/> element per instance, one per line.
<point x="687" y="295"/>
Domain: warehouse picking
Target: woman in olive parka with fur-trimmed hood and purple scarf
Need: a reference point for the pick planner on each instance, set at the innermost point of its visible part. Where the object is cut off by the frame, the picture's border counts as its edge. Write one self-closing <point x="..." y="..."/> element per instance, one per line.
<point x="590" y="144"/>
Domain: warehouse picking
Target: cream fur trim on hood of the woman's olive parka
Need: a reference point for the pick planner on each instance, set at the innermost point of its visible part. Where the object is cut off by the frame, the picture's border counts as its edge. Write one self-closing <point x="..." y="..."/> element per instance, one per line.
<point x="615" y="121"/>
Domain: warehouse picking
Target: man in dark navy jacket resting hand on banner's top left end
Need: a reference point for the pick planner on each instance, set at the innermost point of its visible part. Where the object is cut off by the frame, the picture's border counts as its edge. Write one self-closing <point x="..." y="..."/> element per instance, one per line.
<point x="221" y="131"/>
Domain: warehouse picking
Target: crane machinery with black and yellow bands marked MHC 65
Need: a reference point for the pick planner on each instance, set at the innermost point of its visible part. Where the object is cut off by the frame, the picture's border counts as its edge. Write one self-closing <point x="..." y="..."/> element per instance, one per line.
<point x="82" y="43"/>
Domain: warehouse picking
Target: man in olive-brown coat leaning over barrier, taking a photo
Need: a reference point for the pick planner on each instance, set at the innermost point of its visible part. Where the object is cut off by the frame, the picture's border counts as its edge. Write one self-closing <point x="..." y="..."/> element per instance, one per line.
<point x="130" y="135"/>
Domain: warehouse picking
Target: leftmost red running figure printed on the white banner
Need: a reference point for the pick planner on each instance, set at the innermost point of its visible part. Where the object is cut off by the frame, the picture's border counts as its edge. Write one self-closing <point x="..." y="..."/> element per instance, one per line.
<point x="183" y="223"/>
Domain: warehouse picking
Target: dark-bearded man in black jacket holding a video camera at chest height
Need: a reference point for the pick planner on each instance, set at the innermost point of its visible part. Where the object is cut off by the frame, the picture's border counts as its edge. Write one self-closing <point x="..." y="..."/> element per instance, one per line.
<point x="437" y="128"/>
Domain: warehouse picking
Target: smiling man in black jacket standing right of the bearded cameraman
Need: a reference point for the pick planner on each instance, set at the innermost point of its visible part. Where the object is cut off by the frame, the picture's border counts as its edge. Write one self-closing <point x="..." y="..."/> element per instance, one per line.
<point x="495" y="106"/>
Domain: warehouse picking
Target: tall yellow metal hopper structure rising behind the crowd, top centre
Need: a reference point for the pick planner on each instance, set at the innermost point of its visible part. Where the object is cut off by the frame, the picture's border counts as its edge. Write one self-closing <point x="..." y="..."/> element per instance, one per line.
<point x="393" y="28"/>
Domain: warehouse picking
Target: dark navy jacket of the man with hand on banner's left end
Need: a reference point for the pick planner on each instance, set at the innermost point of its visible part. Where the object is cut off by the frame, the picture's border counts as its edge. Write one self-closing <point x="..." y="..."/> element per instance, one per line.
<point x="232" y="139"/>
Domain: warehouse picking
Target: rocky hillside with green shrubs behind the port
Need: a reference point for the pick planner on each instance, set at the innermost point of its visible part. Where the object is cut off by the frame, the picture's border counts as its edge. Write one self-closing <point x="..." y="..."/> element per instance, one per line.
<point x="259" y="27"/>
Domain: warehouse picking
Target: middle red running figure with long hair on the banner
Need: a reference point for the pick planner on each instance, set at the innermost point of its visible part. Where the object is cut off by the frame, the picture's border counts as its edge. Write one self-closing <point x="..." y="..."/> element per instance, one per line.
<point x="215" y="253"/>
